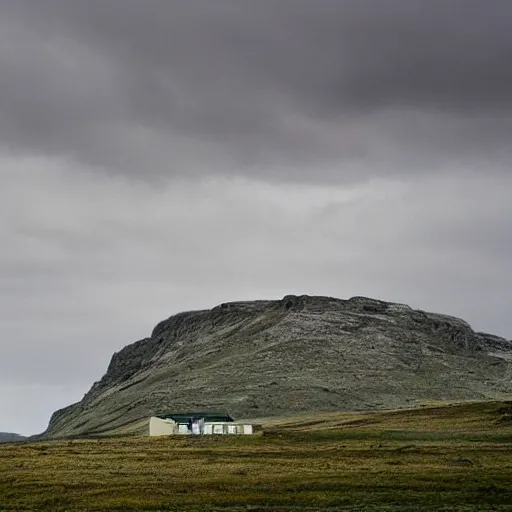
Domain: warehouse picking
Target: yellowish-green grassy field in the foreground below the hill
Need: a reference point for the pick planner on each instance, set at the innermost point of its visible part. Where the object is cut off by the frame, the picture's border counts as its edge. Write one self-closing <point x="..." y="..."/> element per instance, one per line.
<point x="446" y="458"/>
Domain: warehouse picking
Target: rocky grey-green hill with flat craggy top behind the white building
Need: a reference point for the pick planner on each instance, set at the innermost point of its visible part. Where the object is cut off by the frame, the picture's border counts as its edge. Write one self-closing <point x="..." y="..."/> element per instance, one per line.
<point x="298" y="354"/>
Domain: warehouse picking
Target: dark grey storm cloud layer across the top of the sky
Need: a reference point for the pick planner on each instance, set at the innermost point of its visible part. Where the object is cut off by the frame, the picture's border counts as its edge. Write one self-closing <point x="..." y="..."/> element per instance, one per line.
<point x="167" y="86"/>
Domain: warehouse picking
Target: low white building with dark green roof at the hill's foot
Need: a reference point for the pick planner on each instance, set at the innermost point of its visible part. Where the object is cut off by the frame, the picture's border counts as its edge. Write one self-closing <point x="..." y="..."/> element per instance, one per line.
<point x="196" y="423"/>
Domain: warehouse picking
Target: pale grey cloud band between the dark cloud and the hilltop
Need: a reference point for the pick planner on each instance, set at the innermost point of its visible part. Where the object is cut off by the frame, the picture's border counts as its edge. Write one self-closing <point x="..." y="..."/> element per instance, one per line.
<point x="102" y="276"/>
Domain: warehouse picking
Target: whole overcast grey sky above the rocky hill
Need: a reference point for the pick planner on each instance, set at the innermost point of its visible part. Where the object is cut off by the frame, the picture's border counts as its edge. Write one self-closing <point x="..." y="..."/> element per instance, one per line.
<point x="166" y="155"/>
